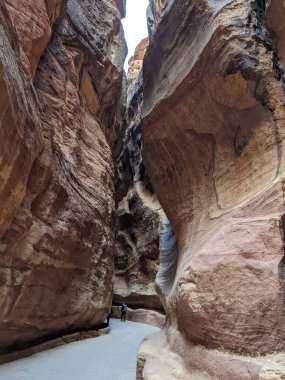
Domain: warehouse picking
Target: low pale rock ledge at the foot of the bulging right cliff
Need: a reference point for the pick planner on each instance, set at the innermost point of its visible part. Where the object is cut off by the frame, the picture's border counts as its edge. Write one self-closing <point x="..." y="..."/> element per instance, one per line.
<point x="170" y="356"/>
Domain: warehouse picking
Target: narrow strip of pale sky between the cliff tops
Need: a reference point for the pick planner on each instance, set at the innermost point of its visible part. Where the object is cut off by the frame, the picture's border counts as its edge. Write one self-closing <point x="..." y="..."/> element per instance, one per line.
<point x="135" y="25"/>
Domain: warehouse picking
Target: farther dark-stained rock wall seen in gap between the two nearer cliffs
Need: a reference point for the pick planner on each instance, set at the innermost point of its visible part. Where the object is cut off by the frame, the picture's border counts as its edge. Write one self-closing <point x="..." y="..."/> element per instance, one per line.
<point x="137" y="211"/>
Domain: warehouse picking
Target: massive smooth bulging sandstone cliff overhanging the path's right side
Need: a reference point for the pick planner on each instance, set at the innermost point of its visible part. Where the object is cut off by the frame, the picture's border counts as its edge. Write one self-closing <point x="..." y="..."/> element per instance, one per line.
<point x="213" y="137"/>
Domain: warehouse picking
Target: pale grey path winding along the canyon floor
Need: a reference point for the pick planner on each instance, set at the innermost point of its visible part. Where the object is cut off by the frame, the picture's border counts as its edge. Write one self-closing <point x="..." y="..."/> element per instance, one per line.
<point x="109" y="357"/>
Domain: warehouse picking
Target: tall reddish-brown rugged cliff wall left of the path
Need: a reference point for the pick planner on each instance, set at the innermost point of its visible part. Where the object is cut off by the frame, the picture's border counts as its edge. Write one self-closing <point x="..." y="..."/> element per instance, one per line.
<point x="61" y="78"/>
